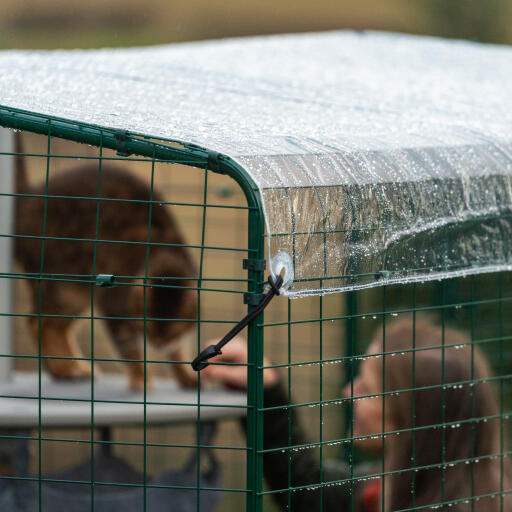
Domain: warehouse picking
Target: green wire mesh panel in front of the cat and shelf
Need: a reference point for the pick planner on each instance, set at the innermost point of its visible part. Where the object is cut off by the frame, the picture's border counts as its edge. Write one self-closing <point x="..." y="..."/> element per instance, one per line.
<point x="112" y="421"/>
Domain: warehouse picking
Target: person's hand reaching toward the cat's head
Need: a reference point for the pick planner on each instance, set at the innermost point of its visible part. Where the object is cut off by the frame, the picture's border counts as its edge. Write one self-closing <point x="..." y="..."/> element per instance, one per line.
<point x="234" y="376"/>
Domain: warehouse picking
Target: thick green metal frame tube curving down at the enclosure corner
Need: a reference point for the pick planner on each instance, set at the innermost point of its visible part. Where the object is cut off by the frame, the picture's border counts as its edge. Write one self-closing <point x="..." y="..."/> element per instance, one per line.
<point x="173" y="151"/>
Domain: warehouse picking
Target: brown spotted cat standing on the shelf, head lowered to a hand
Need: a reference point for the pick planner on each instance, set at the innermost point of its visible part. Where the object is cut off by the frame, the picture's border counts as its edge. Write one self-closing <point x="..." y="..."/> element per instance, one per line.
<point x="70" y="250"/>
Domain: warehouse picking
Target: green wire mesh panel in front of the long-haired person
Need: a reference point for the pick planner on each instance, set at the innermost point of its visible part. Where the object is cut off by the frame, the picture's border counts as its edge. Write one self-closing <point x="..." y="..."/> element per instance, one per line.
<point x="396" y="398"/>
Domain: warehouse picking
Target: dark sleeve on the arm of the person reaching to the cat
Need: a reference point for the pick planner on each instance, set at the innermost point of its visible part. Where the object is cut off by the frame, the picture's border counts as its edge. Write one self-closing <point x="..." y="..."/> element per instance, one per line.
<point x="304" y="469"/>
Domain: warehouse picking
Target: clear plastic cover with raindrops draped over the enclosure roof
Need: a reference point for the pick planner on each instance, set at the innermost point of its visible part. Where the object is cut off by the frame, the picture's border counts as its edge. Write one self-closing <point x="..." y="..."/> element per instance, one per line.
<point x="380" y="158"/>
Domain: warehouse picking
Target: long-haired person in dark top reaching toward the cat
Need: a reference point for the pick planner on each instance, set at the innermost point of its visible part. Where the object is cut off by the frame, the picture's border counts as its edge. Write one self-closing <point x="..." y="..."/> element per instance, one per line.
<point x="450" y="449"/>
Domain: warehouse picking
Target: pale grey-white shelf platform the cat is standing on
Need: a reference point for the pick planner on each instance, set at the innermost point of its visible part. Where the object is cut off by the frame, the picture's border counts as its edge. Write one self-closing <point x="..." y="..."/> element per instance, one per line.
<point x="68" y="403"/>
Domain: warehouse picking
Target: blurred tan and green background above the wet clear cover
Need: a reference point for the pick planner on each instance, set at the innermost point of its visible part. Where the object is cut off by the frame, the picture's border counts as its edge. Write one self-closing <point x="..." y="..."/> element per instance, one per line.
<point x="97" y="23"/>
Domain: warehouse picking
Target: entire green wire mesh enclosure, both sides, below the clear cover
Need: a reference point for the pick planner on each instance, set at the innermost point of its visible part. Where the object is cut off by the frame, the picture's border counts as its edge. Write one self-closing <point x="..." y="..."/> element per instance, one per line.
<point x="393" y="398"/>
